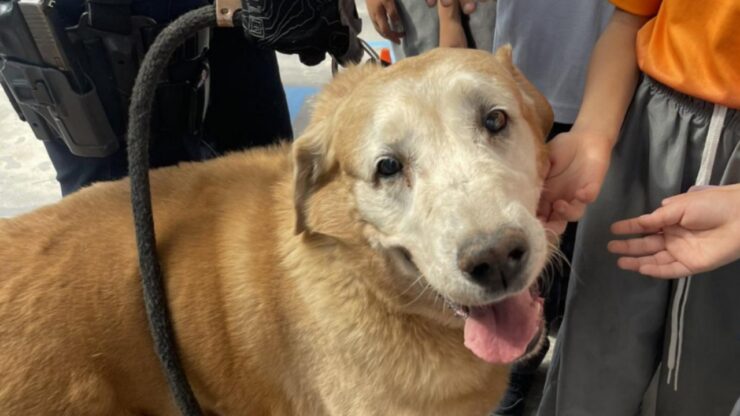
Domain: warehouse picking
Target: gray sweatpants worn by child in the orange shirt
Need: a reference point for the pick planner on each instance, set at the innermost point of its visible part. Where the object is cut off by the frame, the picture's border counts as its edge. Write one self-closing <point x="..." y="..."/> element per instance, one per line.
<point x="619" y="326"/>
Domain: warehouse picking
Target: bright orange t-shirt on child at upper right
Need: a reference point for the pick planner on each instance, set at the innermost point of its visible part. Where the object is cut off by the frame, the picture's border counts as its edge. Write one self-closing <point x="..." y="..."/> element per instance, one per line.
<point x="691" y="46"/>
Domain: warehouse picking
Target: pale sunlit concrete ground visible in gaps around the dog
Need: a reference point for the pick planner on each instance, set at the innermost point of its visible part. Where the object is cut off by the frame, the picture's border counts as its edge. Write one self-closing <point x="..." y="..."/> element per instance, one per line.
<point x="27" y="176"/>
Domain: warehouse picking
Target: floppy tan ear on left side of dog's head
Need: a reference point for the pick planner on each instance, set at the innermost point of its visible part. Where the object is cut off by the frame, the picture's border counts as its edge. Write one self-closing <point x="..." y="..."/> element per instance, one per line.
<point x="312" y="151"/>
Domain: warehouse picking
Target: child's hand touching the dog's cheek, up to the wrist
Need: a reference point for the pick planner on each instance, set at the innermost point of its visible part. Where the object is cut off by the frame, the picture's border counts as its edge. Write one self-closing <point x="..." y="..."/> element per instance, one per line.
<point x="578" y="163"/>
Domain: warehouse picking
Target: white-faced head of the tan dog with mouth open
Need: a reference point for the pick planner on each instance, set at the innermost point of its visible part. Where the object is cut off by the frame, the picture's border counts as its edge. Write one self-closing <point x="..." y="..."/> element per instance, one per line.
<point x="444" y="157"/>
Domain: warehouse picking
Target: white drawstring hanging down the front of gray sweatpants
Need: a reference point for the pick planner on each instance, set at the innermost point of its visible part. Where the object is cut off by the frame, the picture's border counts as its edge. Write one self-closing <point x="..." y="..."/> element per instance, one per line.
<point x="682" y="289"/>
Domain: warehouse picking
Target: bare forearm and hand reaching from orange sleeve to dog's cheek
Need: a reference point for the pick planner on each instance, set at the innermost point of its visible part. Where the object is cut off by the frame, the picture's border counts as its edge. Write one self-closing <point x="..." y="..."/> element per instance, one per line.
<point x="579" y="158"/>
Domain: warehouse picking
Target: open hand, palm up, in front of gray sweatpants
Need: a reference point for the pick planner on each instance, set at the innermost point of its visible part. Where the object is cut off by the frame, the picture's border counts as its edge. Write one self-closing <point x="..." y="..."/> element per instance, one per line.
<point x="690" y="233"/>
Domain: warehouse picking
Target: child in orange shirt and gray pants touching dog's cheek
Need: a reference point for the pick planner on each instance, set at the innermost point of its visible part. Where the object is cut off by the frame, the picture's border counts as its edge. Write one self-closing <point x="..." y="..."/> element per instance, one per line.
<point x="637" y="140"/>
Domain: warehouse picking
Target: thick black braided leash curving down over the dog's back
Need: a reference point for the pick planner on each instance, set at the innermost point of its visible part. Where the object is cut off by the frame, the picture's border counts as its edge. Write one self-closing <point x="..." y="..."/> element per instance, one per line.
<point x="138" y="135"/>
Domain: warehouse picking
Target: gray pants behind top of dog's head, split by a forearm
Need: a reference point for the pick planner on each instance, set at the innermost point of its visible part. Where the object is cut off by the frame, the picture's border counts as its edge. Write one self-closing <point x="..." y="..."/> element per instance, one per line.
<point x="421" y="25"/>
